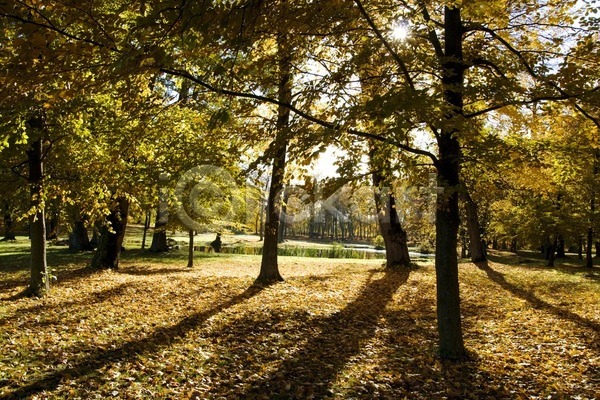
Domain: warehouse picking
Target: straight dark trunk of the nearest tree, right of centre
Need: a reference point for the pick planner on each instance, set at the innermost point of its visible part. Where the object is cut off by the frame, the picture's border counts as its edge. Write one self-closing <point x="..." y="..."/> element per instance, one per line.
<point x="451" y="343"/>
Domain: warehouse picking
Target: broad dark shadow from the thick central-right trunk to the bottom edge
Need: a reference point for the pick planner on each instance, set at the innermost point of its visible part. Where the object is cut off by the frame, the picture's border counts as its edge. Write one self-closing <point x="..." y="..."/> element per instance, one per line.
<point x="342" y="336"/>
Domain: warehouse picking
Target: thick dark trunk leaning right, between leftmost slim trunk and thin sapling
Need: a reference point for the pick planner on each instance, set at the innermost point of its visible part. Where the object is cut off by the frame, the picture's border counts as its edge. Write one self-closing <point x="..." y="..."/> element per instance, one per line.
<point x="110" y="243"/>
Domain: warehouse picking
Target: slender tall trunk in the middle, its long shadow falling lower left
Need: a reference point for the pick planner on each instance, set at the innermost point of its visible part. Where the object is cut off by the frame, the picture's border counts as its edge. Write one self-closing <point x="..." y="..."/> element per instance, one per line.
<point x="269" y="269"/>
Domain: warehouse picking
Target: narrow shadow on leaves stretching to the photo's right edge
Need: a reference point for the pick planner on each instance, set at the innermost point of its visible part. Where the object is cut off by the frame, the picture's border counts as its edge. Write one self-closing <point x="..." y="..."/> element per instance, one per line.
<point x="536" y="302"/>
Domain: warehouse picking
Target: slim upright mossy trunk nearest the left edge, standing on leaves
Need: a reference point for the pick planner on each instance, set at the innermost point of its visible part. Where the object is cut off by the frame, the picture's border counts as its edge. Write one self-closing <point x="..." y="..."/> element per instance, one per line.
<point x="39" y="281"/>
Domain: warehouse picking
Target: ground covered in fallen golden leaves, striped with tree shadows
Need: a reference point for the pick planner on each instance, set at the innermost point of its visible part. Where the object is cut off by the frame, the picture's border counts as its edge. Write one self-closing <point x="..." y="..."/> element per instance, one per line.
<point x="336" y="328"/>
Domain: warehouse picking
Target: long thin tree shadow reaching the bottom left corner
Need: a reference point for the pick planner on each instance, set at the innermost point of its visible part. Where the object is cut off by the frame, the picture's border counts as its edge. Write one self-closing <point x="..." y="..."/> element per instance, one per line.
<point x="158" y="339"/>
